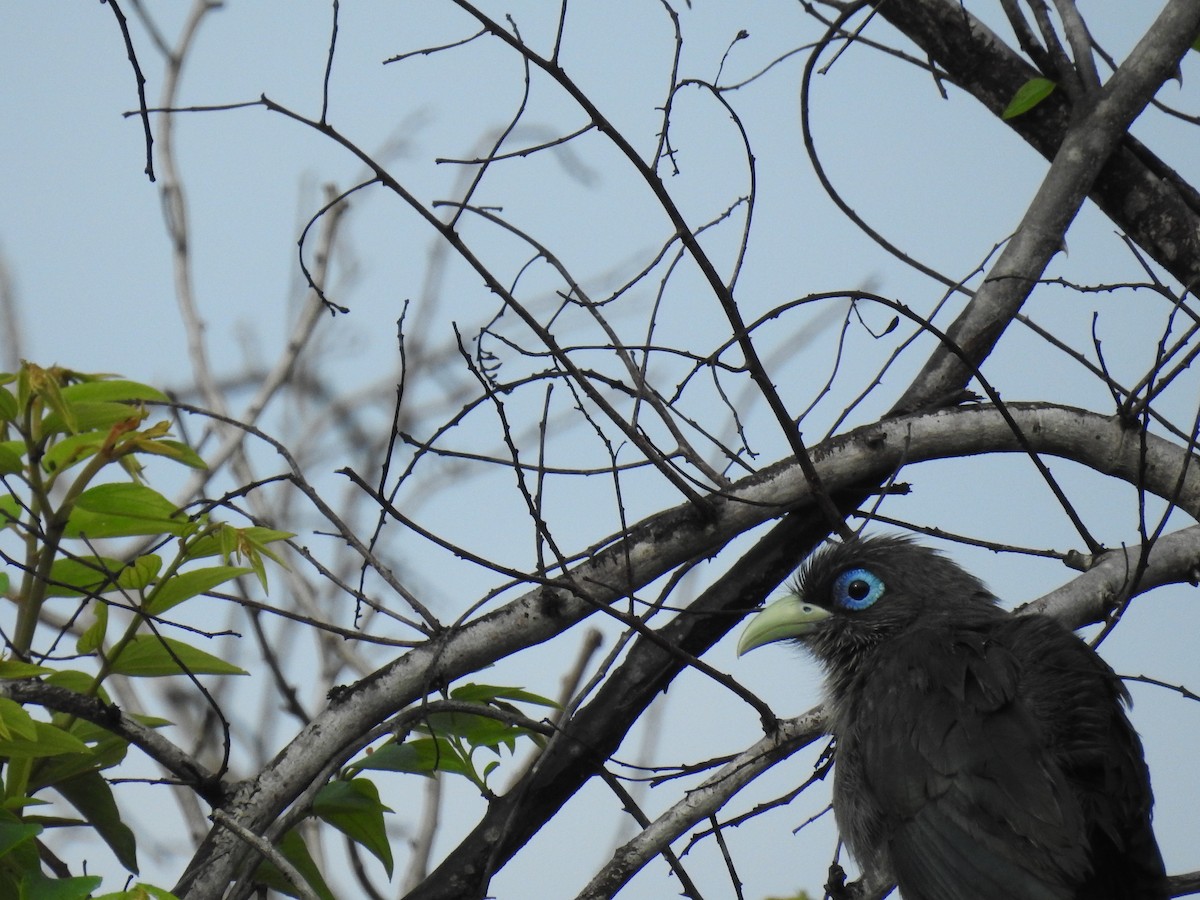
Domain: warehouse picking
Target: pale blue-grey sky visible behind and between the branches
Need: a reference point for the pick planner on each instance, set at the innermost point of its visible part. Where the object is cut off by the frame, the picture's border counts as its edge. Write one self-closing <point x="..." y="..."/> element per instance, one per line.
<point x="88" y="261"/>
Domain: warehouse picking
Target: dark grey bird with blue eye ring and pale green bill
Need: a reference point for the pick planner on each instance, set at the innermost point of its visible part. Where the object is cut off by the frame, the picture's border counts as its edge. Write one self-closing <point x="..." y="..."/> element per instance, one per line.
<point x="980" y="754"/>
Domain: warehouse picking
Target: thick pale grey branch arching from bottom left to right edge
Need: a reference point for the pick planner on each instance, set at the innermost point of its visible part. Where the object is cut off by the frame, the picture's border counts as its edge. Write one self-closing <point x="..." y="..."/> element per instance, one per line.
<point x="658" y="545"/>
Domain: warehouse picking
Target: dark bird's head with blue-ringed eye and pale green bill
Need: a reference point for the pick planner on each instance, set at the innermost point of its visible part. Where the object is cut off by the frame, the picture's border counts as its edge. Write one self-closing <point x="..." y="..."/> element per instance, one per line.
<point x="854" y="596"/>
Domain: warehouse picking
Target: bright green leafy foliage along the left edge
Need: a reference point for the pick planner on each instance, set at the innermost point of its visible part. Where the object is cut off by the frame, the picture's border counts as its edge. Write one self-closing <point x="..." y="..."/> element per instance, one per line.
<point x="71" y="459"/>
